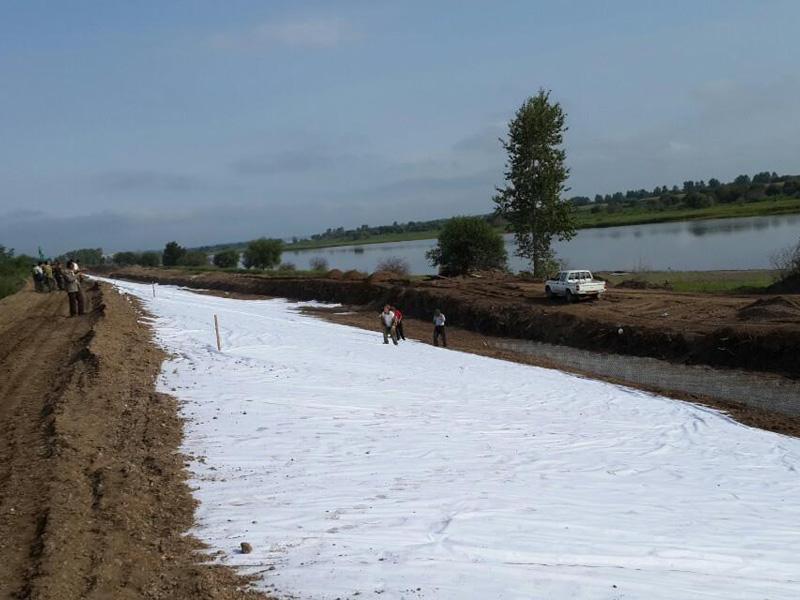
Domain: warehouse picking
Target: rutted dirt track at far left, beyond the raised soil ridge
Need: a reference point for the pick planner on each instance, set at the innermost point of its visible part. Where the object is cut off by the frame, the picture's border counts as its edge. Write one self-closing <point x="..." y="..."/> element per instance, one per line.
<point x="38" y="350"/>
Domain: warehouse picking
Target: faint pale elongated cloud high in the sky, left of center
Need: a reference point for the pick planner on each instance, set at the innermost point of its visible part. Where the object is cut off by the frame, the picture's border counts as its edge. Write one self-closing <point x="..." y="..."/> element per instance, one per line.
<point x="303" y="33"/>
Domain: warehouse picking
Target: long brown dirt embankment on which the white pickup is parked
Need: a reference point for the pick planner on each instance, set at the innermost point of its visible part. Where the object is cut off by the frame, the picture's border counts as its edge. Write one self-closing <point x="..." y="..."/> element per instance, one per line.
<point x="685" y="328"/>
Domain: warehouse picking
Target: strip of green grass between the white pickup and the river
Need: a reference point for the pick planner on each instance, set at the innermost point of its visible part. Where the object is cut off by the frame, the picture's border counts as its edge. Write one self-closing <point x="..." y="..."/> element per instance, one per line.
<point x="704" y="282"/>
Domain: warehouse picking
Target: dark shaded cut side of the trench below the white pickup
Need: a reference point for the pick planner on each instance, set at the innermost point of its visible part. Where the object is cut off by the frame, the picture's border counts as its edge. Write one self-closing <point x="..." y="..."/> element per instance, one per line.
<point x="766" y="349"/>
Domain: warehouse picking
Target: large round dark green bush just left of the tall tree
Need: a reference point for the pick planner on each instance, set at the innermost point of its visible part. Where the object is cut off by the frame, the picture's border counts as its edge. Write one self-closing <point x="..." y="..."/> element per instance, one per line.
<point x="467" y="244"/>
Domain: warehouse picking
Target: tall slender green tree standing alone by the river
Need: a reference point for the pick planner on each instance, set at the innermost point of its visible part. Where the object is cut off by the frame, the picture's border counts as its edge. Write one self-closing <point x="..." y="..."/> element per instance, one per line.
<point x="535" y="179"/>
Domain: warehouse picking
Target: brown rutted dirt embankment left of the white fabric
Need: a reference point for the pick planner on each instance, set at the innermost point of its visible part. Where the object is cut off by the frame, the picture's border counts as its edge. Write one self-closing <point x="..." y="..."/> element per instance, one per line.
<point x="93" y="496"/>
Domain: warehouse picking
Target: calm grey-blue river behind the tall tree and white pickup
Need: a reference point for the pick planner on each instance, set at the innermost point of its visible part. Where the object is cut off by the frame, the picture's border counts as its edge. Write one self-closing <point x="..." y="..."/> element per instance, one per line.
<point x="716" y="244"/>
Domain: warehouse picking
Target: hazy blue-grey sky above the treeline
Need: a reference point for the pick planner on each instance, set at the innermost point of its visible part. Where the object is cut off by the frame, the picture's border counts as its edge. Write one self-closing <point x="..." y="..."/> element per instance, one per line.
<point x="124" y="125"/>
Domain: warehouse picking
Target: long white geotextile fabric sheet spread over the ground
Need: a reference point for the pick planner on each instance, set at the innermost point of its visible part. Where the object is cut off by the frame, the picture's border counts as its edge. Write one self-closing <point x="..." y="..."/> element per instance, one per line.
<point x="360" y="470"/>
